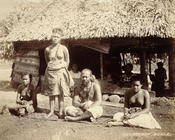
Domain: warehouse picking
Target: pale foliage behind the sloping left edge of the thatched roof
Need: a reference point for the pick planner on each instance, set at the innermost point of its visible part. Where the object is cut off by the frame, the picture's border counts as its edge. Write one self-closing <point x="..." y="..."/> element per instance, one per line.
<point x="21" y="12"/>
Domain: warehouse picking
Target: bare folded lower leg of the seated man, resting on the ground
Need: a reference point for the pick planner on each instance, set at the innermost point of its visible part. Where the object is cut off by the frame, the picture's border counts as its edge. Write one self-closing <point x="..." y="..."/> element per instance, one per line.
<point x="84" y="116"/>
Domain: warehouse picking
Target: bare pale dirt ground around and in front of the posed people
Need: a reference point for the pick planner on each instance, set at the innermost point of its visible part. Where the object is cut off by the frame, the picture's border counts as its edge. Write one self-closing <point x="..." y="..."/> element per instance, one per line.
<point x="36" y="127"/>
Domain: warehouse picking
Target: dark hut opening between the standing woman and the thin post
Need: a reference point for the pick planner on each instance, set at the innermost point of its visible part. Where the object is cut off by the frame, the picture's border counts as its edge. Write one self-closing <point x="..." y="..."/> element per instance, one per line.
<point x="85" y="58"/>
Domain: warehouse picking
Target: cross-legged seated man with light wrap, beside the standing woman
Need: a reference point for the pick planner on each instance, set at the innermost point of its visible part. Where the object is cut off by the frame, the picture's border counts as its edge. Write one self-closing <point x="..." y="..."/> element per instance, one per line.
<point x="87" y="99"/>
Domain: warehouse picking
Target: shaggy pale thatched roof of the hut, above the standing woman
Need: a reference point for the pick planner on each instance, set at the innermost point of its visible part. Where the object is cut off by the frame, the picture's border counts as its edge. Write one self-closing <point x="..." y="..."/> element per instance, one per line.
<point x="100" y="19"/>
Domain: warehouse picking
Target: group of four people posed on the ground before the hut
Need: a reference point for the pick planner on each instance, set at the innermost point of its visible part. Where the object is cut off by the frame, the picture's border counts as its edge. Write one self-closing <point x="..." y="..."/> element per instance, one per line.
<point x="87" y="97"/>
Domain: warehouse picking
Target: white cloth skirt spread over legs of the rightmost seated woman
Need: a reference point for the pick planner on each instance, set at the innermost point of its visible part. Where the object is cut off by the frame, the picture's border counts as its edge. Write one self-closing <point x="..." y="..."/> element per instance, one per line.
<point x="144" y="120"/>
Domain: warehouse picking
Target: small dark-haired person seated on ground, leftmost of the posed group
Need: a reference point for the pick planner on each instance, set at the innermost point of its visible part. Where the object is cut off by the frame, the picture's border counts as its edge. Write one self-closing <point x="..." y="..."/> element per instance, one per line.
<point x="24" y="100"/>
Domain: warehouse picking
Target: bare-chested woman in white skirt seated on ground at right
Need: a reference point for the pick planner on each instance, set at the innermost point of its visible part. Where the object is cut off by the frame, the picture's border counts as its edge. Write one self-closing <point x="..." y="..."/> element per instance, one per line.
<point x="136" y="108"/>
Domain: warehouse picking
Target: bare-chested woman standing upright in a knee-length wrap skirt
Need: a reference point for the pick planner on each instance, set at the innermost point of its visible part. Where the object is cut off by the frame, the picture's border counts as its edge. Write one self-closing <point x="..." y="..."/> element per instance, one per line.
<point x="57" y="78"/>
